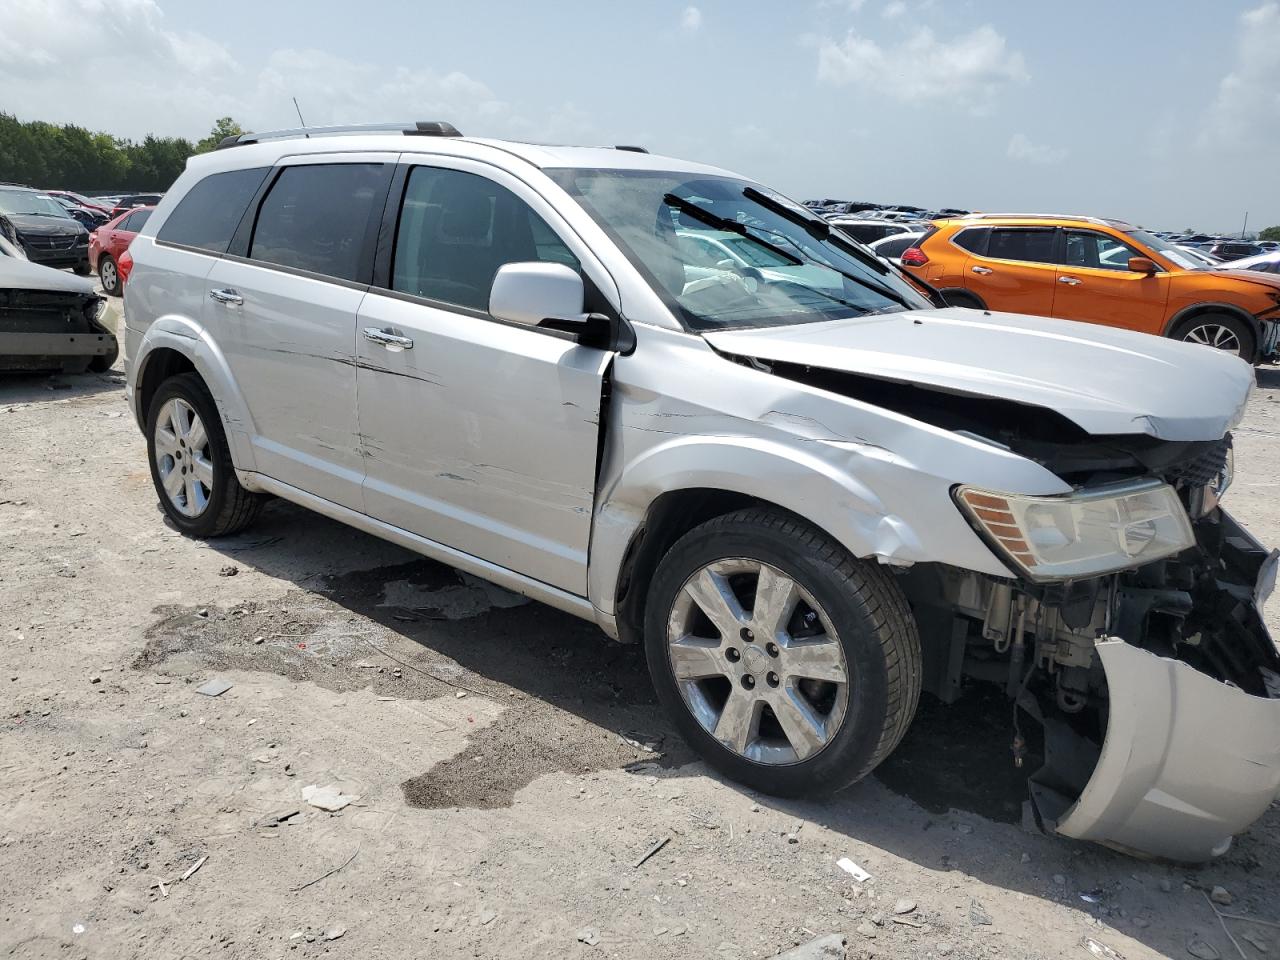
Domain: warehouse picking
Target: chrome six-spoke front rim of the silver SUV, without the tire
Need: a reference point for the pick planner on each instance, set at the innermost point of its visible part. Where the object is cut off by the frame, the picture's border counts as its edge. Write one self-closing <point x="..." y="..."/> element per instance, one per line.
<point x="758" y="662"/>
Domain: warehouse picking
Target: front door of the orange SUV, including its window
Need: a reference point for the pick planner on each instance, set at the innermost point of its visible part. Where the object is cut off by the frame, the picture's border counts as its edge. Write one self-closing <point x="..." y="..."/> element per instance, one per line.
<point x="1096" y="285"/>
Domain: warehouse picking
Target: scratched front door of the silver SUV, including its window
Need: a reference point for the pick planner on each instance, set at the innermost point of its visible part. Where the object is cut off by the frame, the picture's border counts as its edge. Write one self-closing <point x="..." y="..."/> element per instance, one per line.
<point x="478" y="435"/>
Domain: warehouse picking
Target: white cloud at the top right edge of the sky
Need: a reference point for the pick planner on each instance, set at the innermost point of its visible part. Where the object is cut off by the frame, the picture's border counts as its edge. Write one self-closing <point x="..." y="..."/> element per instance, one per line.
<point x="1246" y="113"/>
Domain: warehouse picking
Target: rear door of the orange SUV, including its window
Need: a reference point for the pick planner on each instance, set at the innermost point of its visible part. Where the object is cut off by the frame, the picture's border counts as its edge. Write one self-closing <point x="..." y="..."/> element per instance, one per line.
<point x="1018" y="271"/>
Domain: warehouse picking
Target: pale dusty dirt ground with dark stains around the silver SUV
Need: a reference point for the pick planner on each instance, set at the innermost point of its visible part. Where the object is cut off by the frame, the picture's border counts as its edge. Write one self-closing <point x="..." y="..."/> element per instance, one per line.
<point x="511" y="765"/>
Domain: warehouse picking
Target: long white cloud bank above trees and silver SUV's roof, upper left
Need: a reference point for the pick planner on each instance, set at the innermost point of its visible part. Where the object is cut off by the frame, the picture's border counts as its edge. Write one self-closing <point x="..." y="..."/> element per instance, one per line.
<point x="179" y="84"/>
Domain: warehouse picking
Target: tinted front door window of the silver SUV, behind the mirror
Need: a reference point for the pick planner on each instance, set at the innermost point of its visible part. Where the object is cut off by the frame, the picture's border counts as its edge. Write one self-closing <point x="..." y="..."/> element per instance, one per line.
<point x="456" y="230"/>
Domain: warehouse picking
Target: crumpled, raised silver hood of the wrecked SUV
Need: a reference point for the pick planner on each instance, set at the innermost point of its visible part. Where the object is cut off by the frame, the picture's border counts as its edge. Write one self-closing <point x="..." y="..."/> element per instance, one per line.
<point x="1103" y="380"/>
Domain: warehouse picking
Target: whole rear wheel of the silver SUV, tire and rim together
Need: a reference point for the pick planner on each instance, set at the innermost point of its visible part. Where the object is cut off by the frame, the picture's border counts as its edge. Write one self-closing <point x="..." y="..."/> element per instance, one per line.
<point x="191" y="464"/>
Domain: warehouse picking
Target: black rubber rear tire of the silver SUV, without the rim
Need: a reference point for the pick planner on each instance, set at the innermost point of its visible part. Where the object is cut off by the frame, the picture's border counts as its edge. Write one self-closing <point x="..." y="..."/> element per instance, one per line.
<point x="231" y="508"/>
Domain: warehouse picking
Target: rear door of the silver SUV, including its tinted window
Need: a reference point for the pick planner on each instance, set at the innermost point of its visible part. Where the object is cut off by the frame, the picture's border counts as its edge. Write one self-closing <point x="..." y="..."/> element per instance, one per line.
<point x="285" y="313"/>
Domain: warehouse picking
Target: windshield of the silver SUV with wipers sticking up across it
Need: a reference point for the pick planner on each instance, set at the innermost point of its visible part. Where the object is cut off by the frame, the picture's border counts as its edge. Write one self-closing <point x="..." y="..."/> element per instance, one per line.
<point x="726" y="260"/>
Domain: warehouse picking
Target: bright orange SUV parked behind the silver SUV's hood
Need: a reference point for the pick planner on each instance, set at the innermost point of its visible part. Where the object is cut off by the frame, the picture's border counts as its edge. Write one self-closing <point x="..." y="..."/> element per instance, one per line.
<point x="1101" y="272"/>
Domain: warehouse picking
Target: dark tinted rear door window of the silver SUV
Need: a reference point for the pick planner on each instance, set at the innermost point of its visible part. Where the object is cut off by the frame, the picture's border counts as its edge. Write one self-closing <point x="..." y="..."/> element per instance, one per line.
<point x="319" y="218"/>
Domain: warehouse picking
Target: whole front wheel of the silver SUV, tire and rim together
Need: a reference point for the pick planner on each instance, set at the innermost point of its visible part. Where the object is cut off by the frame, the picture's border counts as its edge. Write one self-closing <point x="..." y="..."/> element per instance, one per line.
<point x="789" y="665"/>
